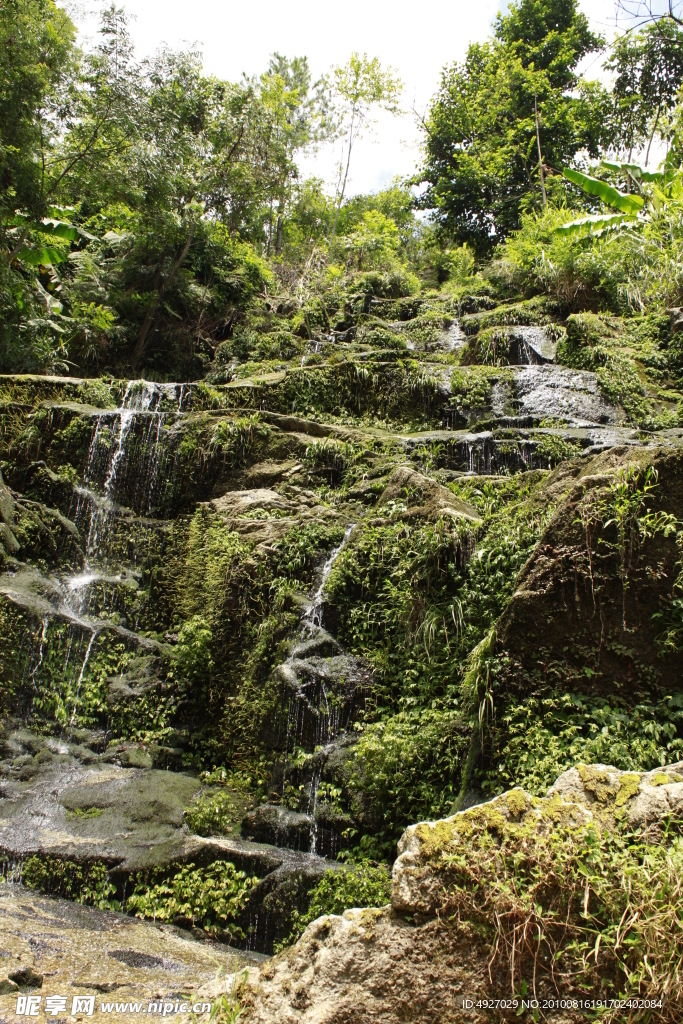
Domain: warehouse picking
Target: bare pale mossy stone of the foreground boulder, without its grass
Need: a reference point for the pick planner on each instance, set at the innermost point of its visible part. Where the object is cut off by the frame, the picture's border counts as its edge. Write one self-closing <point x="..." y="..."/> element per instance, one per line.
<point x="416" y="962"/>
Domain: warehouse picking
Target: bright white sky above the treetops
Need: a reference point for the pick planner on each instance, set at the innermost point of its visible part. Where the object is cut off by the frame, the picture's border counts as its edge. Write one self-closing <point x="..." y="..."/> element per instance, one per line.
<point x="417" y="39"/>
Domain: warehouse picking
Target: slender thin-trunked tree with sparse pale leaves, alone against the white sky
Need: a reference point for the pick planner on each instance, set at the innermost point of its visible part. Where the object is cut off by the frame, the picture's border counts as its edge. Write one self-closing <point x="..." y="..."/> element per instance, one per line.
<point x="361" y="87"/>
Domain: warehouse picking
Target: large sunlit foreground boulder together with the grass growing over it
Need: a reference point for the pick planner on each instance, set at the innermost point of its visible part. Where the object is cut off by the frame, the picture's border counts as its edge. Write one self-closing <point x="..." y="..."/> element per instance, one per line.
<point x="501" y="903"/>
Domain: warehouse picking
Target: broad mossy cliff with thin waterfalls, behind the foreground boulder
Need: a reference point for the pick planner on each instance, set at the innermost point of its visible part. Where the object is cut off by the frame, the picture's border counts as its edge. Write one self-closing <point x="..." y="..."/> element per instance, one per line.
<point x="255" y="623"/>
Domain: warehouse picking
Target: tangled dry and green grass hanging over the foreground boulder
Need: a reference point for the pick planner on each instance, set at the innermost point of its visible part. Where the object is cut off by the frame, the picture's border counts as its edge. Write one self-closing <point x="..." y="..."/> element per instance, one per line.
<point x="595" y="907"/>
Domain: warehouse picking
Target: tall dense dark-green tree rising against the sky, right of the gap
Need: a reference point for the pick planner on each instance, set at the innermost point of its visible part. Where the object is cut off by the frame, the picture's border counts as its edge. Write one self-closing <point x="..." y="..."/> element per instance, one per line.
<point x="516" y="95"/>
